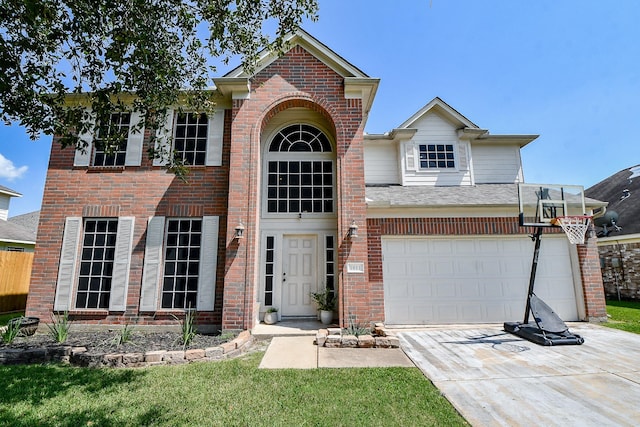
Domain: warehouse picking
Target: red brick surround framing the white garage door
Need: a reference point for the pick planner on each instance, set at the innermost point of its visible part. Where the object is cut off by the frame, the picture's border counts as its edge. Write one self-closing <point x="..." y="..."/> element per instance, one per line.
<point x="589" y="262"/>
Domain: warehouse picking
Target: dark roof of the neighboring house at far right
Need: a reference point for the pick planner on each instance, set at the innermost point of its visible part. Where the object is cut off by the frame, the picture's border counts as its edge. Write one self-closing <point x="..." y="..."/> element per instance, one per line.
<point x="625" y="203"/>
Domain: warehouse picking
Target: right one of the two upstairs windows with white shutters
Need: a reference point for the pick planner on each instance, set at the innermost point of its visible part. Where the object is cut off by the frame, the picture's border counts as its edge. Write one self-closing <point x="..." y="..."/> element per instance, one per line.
<point x="190" y="137"/>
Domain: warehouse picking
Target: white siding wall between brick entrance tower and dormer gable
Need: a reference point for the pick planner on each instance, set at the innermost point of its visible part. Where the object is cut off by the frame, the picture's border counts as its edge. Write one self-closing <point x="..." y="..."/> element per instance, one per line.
<point x="381" y="163"/>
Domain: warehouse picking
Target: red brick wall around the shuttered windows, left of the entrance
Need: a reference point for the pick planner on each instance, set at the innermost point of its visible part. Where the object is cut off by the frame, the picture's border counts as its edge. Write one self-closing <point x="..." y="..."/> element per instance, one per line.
<point x="132" y="191"/>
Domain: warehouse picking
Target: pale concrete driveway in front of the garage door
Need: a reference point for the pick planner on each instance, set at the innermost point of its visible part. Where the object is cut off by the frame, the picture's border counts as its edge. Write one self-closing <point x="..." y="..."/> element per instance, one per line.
<point x="497" y="379"/>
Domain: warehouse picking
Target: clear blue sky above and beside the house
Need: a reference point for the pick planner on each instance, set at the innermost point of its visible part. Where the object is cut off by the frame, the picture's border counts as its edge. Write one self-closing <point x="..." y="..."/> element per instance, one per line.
<point x="566" y="70"/>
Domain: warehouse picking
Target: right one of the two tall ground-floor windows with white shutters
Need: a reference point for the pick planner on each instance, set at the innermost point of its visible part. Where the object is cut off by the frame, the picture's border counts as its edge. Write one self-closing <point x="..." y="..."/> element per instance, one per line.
<point x="181" y="263"/>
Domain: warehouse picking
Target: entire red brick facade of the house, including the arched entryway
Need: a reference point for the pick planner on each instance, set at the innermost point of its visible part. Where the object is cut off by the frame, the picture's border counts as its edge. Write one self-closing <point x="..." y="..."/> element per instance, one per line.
<point x="297" y="81"/>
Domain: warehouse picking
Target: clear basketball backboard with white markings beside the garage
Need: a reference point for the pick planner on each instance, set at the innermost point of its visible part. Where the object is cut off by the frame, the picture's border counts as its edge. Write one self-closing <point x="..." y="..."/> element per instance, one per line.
<point x="539" y="204"/>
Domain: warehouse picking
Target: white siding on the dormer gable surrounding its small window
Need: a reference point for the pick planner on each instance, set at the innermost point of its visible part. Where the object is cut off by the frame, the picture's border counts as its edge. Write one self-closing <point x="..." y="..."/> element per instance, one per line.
<point x="433" y="128"/>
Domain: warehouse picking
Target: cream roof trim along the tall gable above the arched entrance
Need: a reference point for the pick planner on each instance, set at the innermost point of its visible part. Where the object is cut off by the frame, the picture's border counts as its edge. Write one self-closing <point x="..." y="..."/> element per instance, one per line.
<point x="312" y="45"/>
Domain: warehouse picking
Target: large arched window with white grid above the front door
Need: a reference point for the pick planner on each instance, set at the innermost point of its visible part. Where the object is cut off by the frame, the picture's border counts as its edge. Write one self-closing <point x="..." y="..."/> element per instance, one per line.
<point x="300" y="181"/>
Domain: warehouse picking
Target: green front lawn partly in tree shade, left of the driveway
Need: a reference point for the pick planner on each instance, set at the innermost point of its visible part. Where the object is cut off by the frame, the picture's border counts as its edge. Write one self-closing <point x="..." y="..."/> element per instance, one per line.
<point x="232" y="392"/>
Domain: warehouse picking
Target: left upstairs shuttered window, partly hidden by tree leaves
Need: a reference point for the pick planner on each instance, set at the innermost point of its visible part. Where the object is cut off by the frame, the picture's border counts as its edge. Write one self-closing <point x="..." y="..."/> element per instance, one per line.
<point x="111" y="141"/>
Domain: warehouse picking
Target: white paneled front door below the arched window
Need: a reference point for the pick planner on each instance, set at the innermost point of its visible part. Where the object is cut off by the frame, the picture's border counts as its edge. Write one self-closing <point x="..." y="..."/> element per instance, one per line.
<point x="299" y="275"/>
